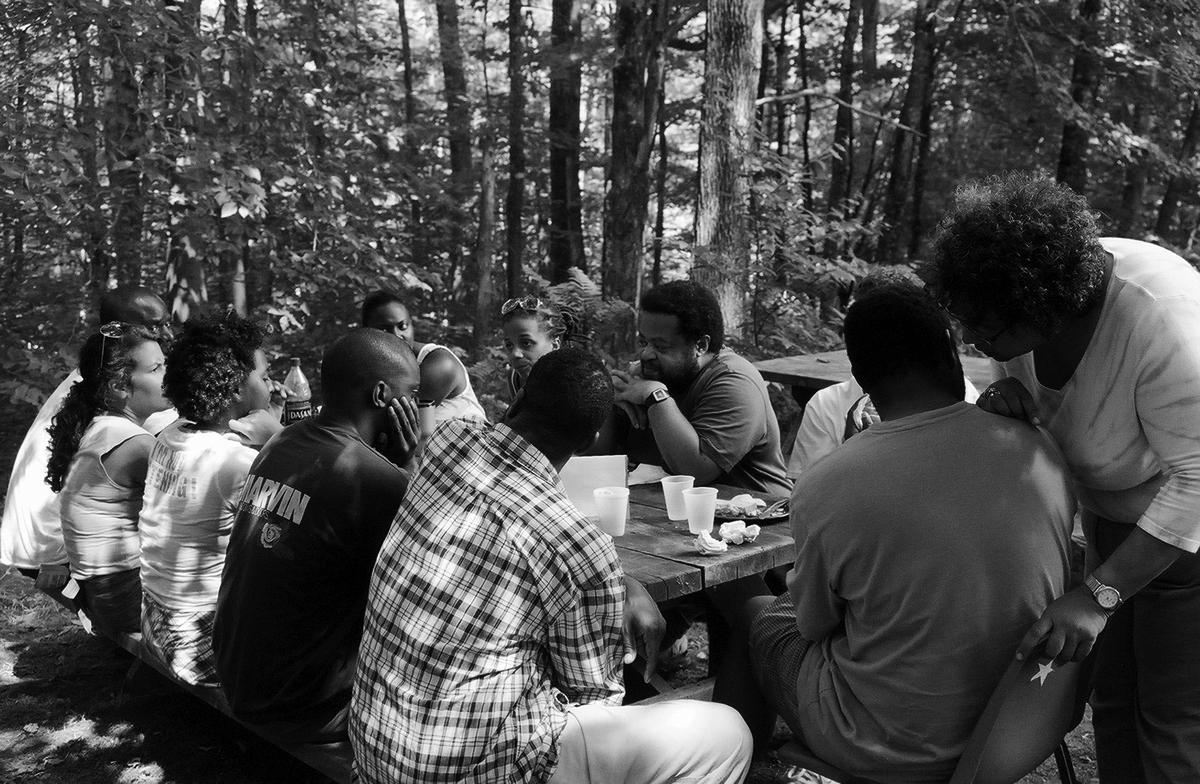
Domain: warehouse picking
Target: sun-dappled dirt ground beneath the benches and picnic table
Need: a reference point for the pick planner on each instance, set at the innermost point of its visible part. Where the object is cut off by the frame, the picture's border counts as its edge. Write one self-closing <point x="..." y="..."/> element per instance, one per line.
<point x="75" y="711"/>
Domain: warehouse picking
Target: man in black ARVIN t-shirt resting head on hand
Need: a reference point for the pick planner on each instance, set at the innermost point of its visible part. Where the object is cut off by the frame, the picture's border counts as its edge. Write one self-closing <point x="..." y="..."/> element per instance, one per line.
<point x="310" y="522"/>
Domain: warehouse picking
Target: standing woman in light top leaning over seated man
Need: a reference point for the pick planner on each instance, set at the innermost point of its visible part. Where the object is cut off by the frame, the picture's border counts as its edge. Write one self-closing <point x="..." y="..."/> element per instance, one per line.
<point x="1101" y="343"/>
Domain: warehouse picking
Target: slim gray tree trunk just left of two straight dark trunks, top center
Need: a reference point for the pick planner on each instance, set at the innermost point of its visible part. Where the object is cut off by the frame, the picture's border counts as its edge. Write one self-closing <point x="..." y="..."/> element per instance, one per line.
<point x="458" y="125"/>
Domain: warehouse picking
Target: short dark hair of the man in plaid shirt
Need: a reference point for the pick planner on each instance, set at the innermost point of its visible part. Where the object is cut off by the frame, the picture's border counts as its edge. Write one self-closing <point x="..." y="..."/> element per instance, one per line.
<point x="568" y="396"/>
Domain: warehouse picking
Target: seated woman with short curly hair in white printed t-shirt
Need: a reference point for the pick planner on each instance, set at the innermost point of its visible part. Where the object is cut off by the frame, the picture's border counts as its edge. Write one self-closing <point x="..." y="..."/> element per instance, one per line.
<point x="217" y="373"/>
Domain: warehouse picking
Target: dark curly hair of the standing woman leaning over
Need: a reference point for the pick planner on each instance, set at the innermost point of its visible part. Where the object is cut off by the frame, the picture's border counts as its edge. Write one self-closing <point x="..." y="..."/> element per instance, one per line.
<point x="1021" y="248"/>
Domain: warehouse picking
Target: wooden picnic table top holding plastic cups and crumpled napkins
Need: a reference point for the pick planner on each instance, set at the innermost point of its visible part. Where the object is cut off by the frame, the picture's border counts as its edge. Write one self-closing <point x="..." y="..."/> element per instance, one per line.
<point x="662" y="554"/>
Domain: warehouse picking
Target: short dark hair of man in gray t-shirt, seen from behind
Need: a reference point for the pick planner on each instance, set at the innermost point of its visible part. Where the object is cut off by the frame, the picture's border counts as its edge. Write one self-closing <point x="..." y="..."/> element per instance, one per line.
<point x="898" y="328"/>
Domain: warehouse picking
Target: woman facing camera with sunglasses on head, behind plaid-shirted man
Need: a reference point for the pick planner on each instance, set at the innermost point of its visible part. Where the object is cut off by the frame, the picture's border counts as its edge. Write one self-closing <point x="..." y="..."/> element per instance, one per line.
<point x="533" y="328"/>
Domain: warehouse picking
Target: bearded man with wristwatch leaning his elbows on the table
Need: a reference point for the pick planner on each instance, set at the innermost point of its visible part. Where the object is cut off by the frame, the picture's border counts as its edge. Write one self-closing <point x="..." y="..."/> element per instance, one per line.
<point x="697" y="408"/>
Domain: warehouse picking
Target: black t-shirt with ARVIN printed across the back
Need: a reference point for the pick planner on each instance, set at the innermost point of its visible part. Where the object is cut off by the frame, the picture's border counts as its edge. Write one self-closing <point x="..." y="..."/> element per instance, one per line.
<point x="310" y="523"/>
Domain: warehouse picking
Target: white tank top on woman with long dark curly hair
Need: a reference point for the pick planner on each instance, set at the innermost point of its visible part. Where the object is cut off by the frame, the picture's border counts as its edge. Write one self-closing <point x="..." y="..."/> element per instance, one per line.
<point x="100" y="518"/>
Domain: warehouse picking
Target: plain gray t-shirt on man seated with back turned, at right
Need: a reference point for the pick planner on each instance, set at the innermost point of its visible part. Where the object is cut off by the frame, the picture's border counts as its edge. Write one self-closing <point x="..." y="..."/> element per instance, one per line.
<point x="926" y="549"/>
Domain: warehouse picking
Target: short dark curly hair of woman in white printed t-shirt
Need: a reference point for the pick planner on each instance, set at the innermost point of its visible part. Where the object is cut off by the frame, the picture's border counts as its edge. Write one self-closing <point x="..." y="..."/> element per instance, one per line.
<point x="209" y="363"/>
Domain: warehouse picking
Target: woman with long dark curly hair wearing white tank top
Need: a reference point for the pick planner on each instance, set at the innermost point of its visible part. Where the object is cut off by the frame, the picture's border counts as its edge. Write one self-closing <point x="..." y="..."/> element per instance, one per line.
<point x="98" y="464"/>
